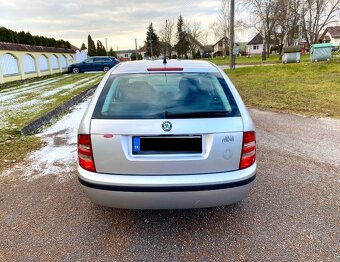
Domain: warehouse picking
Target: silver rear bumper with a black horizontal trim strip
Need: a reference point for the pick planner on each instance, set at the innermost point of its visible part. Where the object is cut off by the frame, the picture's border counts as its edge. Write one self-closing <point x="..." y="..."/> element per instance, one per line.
<point x="167" y="191"/>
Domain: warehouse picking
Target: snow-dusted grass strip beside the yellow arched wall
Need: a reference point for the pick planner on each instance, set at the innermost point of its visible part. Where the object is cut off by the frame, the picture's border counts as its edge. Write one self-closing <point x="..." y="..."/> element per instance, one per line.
<point x="22" y="103"/>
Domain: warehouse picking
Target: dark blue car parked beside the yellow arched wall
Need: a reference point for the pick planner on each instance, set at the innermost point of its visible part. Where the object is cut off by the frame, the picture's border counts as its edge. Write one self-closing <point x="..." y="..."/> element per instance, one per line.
<point x="94" y="63"/>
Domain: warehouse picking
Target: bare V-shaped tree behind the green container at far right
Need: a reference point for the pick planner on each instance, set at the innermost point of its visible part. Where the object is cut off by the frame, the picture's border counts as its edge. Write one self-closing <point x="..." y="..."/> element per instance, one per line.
<point x="318" y="14"/>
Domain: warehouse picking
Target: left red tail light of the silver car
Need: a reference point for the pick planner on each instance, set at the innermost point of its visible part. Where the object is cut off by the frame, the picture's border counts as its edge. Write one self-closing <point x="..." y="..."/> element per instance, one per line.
<point x="85" y="156"/>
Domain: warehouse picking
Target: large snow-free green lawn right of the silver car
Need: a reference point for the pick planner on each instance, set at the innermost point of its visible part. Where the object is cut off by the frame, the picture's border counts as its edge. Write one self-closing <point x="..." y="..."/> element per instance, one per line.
<point x="311" y="89"/>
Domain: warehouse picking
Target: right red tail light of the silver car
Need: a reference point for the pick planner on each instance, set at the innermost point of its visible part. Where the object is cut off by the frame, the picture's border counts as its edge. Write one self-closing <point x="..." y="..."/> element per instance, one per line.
<point x="248" y="150"/>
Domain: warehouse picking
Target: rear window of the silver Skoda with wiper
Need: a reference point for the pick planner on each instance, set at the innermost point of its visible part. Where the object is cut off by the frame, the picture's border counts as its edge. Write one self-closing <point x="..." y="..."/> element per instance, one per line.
<point x="164" y="95"/>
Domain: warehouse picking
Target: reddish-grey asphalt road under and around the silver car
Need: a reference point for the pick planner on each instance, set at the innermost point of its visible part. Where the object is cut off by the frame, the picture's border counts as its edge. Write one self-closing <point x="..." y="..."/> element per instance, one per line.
<point x="292" y="213"/>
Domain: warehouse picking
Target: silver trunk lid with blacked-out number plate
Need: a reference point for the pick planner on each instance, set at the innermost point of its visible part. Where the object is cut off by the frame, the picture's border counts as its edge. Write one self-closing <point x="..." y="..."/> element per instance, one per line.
<point x="192" y="146"/>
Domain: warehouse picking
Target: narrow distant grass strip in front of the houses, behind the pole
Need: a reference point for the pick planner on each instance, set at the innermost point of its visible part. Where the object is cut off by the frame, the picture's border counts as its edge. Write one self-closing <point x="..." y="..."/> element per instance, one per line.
<point x="243" y="60"/>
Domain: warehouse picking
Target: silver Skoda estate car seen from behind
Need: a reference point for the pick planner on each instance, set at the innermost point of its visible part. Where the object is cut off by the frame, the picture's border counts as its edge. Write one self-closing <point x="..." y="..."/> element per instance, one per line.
<point x="166" y="136"/>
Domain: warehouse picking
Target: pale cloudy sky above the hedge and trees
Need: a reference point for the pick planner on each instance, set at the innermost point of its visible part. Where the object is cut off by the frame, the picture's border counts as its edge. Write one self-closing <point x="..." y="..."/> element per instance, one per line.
<point x="119" y="21"/>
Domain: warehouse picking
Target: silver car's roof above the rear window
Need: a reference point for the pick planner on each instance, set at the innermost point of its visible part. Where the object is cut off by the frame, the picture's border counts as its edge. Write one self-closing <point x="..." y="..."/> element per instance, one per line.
<point x="142" y="66"/>
